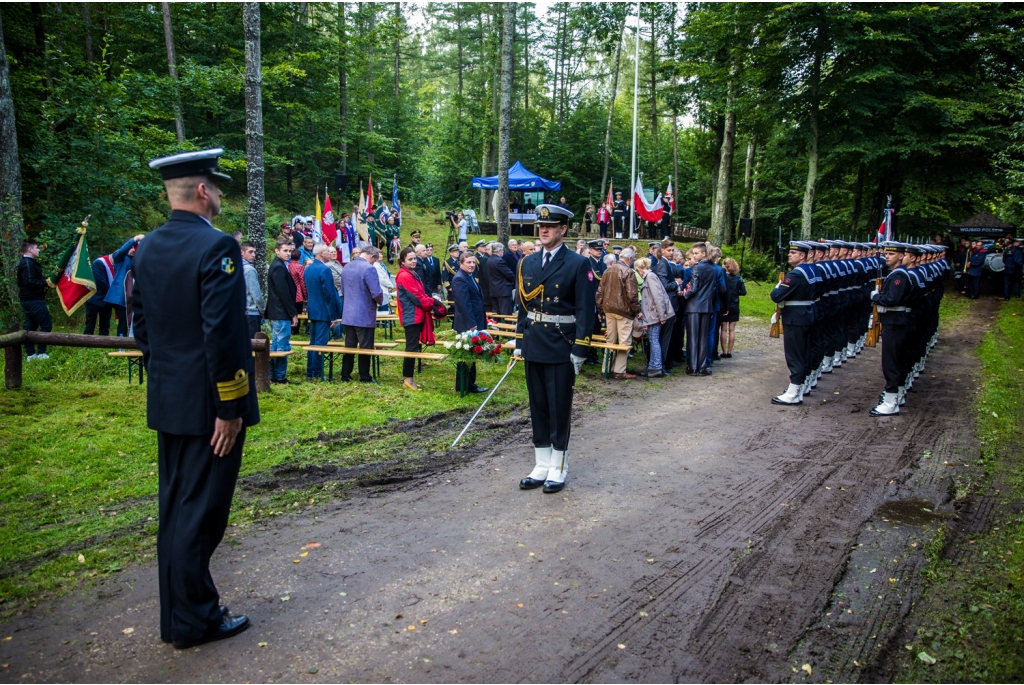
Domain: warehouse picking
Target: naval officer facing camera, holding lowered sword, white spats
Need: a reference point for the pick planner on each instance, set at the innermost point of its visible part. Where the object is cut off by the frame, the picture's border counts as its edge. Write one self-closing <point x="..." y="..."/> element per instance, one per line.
<point x="557" y="318"/>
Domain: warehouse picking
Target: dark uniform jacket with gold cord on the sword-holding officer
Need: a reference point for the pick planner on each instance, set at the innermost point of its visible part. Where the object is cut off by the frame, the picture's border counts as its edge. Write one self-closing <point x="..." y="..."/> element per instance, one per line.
<point x="565" y="288"/>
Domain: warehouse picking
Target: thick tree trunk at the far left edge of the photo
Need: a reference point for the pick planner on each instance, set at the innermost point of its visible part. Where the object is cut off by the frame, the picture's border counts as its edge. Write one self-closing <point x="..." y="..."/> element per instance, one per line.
<point x="12" y="223"/>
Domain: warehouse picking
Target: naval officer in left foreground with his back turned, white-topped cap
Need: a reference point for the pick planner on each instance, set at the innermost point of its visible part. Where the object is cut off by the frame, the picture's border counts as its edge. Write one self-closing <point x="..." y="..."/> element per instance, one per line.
<point x="189" y="302"/>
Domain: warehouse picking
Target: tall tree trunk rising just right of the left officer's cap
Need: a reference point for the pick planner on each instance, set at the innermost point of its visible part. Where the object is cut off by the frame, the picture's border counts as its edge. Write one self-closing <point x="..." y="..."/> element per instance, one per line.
<point x="257" y="215"/>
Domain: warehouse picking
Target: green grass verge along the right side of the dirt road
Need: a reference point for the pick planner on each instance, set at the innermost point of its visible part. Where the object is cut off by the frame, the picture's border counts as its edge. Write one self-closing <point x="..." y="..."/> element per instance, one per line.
<point x="972" y="615"/>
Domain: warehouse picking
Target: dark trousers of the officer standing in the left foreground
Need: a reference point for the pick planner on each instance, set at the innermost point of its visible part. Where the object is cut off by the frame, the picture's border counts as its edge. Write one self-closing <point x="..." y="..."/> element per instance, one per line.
<point x="196" y="492"/>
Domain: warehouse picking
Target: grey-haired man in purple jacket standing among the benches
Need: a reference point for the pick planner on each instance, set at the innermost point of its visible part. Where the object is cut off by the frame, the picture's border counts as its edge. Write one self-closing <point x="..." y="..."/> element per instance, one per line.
<point x="362" y="290"/>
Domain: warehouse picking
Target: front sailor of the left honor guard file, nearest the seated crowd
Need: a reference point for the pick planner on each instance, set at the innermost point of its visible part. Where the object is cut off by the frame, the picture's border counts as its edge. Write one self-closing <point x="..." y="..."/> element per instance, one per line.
<point x="795" y="295"/>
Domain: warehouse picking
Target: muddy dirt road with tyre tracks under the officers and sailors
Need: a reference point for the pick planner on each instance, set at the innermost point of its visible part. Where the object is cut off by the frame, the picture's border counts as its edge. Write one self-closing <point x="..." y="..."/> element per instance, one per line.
<point x="702" y="538"/>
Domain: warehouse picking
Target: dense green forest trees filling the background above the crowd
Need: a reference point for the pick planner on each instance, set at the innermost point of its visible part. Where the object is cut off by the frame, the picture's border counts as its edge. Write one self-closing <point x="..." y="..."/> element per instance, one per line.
<point x="804" y="116"/>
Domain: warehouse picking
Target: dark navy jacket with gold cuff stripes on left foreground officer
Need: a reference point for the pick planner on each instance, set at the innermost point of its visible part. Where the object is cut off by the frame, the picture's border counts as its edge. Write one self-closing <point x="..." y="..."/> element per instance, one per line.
<point x="190" y="322"/>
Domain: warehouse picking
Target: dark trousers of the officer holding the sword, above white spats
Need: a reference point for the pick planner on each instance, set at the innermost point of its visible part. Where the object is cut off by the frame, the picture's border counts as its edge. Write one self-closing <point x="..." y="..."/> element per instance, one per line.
<point x="550" y="389"/>
